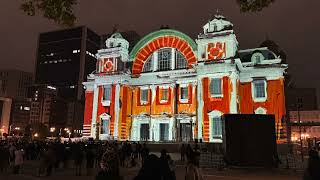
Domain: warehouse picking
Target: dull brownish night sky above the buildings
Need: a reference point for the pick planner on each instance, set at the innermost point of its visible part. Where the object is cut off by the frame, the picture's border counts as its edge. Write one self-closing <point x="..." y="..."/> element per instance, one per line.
<point x="293" y="24"/>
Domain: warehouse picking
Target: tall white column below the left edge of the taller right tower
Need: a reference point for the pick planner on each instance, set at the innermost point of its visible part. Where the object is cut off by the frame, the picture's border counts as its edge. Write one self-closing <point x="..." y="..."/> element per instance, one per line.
<point x="200" y="108"/>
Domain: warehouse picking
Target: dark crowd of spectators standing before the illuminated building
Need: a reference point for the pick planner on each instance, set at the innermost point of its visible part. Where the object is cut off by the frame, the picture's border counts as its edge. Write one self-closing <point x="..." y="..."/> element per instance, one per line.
<point x="105" y="157"/>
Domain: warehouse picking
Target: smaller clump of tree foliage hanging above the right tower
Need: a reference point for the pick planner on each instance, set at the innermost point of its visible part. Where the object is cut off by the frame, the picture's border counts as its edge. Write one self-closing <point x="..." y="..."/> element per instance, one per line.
<point x="253" y="5"/>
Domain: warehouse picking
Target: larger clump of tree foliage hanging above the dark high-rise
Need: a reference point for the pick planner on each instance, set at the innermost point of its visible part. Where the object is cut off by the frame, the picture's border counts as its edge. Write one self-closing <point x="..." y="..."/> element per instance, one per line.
<point x="60" y="11"/>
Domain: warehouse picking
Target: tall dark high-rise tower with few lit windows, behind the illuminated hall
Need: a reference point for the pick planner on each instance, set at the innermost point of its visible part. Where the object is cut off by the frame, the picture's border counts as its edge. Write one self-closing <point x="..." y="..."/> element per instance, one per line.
<point x="65" y="58"/>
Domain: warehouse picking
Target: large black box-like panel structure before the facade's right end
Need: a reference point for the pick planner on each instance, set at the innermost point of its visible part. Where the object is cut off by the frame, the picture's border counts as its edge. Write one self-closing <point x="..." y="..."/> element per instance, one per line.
<point x="249" y="140"/>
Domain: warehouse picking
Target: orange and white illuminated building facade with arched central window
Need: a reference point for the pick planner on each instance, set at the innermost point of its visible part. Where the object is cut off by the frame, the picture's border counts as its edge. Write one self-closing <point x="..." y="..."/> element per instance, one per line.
<point x="172" y="88"/>
